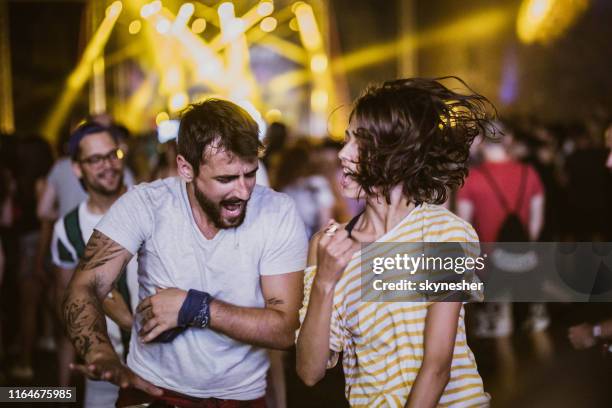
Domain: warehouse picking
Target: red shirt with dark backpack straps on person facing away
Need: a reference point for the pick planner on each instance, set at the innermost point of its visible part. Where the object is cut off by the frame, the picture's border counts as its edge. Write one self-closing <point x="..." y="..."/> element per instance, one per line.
<point x="489" y="213"/>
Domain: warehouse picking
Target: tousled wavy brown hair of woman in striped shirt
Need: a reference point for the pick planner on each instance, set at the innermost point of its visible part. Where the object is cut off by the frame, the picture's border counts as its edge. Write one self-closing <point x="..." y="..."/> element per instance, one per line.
<point x="417" y="133"/>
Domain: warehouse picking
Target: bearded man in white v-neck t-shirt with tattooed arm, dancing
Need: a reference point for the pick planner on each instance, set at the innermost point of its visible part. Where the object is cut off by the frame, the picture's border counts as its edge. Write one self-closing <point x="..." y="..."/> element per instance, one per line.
<point x="239" y="249"/>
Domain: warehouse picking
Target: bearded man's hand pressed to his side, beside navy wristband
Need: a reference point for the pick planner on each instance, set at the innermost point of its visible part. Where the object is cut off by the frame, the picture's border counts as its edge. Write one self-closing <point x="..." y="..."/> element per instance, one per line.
<point x="160" y="312"/>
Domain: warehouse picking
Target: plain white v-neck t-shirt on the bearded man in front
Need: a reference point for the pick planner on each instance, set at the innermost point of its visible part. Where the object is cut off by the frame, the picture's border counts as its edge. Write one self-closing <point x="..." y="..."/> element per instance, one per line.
<point x="155" y="221"/>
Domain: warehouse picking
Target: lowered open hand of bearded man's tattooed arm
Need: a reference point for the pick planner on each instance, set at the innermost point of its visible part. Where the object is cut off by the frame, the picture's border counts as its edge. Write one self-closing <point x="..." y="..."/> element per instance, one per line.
<point x="109" y="368"/>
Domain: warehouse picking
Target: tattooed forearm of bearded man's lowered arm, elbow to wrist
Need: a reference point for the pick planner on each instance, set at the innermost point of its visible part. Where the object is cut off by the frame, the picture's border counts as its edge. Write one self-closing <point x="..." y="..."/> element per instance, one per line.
<point x="85" y="322"/>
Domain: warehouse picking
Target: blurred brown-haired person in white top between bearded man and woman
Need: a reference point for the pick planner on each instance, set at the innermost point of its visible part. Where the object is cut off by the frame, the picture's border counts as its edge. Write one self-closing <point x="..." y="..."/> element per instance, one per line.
<point x="298" y="178"/>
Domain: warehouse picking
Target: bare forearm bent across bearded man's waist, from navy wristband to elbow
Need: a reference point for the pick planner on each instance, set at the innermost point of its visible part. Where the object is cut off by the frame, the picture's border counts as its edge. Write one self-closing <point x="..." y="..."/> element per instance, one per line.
<point x="262" y="327"/>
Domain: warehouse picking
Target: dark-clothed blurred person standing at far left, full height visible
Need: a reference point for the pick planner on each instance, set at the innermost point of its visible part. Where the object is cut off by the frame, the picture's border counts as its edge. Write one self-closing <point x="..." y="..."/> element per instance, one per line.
<point x="34" y="159"/>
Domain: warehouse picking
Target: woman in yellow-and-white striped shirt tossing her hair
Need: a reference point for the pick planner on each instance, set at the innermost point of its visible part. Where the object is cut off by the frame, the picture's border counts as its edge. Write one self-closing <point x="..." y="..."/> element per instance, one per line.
<point x="399" y="156"/>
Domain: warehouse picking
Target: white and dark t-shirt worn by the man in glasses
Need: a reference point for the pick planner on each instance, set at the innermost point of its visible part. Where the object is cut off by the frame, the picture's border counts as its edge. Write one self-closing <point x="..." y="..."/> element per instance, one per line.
<point x="64" y="255"/>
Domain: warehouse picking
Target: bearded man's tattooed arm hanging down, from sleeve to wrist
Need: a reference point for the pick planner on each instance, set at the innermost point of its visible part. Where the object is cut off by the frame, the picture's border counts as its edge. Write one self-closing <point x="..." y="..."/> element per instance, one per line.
<point x="93" y="279"/>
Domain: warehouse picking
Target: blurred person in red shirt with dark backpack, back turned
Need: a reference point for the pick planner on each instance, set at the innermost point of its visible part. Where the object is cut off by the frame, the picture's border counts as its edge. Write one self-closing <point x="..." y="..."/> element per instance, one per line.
<point x="494" y="192"/>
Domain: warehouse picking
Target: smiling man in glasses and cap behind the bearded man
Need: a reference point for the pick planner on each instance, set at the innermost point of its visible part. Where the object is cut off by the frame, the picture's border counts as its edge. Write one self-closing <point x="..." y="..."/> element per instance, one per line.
<point x="97" y="162"/>
